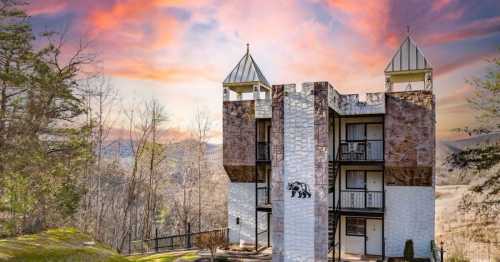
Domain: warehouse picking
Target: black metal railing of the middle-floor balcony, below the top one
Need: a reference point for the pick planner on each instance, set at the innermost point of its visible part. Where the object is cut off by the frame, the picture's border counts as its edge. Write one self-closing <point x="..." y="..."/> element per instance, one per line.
<point x="361" y="199"/>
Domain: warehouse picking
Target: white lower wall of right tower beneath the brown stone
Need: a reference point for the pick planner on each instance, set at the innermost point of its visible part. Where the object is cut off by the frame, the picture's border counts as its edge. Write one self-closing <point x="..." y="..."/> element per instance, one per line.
<point x="409" y="215"/>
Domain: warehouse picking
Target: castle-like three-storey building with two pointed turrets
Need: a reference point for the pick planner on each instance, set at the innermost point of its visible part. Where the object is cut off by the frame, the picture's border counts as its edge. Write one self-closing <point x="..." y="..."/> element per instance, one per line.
<point x="320" y="175"/>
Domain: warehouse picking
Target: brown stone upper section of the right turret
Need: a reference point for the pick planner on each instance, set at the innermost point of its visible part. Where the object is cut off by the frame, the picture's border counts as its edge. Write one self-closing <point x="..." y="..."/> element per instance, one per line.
<point x="410" y="138"/>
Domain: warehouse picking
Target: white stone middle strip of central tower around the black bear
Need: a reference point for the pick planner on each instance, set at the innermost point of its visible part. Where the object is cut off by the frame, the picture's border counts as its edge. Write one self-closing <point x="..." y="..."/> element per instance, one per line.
<point x="299" y="166"/>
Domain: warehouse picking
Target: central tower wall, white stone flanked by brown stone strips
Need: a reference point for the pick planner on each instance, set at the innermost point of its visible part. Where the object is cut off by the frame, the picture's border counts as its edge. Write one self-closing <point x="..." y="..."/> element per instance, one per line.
<point x="300" y="154"/>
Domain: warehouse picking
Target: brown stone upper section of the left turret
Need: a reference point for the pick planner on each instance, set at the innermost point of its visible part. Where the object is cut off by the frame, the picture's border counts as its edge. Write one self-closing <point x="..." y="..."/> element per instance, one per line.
<point x="239" y="140"/>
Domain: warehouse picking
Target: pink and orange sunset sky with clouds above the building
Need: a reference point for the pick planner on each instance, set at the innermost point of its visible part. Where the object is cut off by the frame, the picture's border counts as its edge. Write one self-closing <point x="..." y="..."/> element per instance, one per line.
<point x="180" y="51"/>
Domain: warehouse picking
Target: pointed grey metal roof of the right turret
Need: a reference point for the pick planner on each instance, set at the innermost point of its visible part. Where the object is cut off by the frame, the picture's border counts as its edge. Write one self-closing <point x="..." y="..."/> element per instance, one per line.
<point x="408" y="57"/>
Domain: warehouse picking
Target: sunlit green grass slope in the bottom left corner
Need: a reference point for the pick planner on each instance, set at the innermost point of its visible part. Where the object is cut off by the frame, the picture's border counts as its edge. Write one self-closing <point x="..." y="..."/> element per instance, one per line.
<point x="64" y="244"/>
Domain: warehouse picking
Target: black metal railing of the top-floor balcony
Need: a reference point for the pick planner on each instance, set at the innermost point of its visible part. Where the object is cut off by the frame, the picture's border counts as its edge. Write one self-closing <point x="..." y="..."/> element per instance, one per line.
<point x="361" y="150"/>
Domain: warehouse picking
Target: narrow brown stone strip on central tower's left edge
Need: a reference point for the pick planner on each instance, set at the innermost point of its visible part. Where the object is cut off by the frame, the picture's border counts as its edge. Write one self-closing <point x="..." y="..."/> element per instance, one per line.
<point x="277" y="160"/>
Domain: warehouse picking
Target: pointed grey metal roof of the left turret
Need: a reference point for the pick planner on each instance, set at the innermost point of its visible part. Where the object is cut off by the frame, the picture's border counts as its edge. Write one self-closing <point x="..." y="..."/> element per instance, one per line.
<point x="246" y="71"/>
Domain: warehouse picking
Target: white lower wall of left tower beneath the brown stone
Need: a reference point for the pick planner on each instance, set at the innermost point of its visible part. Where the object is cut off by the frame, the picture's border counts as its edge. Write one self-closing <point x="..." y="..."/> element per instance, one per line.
<point x="241" y="203"/>
